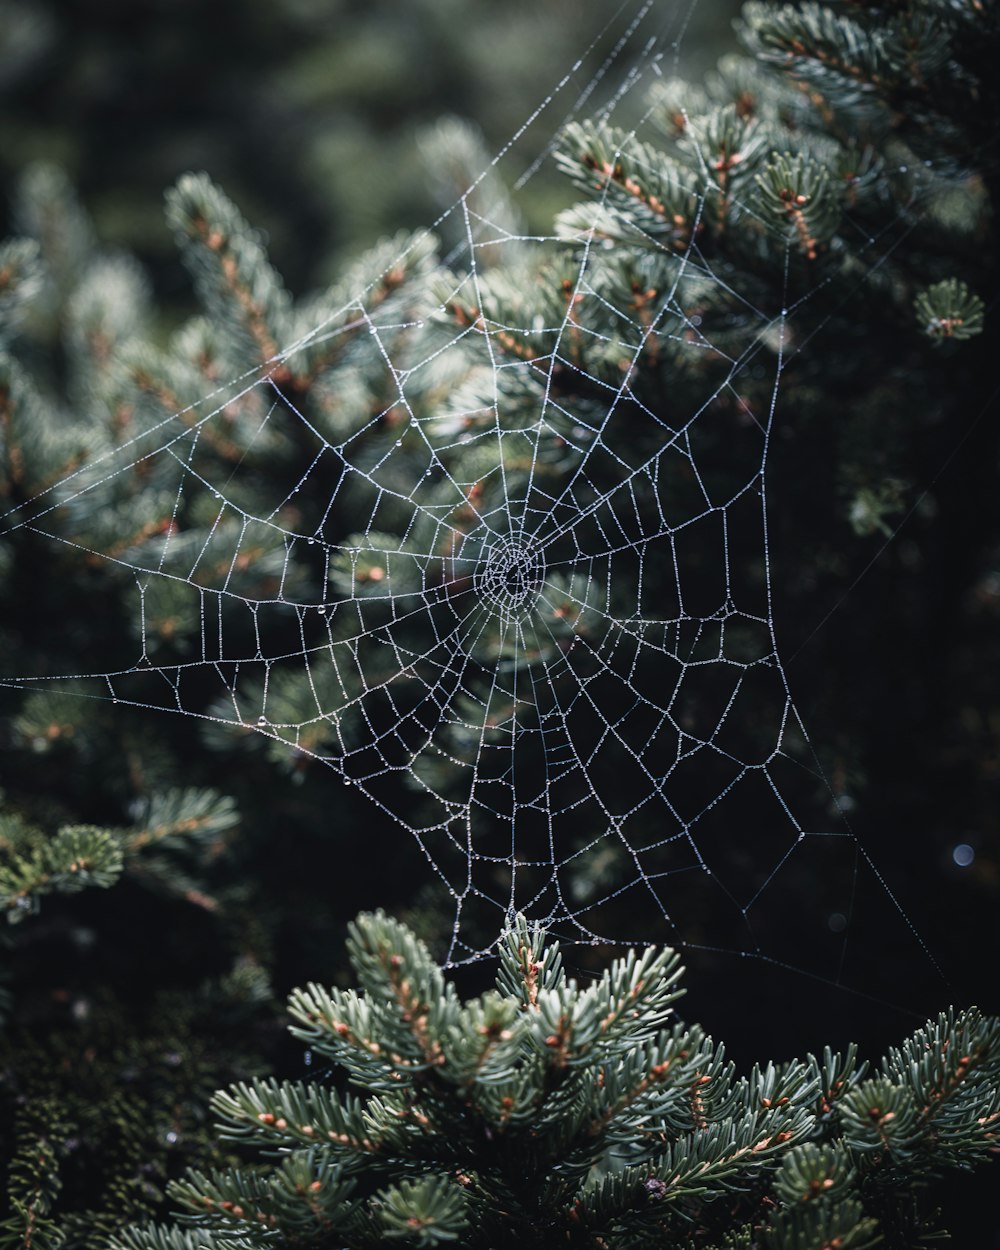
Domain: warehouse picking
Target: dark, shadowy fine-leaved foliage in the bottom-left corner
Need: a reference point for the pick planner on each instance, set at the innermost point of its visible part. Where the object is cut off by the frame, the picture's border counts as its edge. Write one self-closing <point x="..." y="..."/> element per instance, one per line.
<point x="104" y="1102"/>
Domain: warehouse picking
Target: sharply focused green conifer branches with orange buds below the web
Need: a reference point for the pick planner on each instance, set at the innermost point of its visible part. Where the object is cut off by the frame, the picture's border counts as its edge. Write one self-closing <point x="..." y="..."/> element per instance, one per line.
<point x="549" y="1113"/>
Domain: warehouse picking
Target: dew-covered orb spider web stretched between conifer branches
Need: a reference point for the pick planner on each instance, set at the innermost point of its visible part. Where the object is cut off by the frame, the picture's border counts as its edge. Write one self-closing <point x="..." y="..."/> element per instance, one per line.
<point x="519" y="603"/>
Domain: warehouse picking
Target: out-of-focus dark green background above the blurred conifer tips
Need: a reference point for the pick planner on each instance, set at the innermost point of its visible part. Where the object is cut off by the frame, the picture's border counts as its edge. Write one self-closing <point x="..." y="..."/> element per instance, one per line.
<point x="309" y="114"/>
